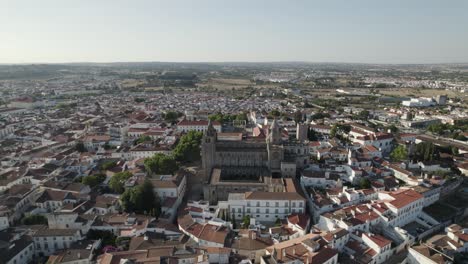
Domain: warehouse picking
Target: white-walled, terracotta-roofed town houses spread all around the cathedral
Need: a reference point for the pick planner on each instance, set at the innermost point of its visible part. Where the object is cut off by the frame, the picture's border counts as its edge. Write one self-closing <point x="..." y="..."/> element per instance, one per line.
<point x="273" y="192"/>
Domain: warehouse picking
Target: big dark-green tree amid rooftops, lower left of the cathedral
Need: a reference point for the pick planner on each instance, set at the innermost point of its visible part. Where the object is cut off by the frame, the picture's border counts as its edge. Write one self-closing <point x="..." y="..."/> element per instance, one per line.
<point x="141" y="199"/>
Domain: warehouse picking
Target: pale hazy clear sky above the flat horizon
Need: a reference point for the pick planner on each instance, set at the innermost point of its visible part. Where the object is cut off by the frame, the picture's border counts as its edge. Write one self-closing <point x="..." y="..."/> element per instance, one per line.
<point x="359" y="31"/>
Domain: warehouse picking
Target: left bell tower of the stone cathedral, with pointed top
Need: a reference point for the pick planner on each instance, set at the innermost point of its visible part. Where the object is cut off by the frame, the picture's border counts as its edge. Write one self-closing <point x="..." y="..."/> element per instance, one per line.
<point x="208" y="150"/>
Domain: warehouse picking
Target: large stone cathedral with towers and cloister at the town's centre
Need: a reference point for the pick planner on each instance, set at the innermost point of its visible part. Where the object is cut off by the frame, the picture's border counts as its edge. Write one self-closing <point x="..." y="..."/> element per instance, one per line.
<point x="234" y="163"/>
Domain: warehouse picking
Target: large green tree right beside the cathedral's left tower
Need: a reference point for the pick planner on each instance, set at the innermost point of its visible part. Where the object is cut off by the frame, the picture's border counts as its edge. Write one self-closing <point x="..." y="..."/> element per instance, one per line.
<point x="188" y="148"/>
